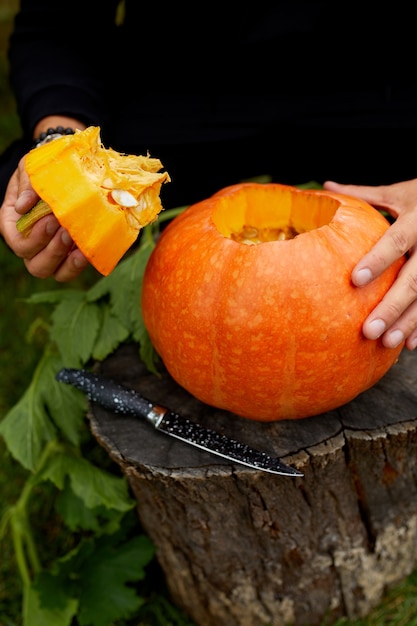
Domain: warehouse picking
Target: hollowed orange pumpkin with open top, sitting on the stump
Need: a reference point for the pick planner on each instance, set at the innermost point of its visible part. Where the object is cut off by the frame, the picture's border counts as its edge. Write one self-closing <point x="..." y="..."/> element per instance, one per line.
<point x="247" y="298"/>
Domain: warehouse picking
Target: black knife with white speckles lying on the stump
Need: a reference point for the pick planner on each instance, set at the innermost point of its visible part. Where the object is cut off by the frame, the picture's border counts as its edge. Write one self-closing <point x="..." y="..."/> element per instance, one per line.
<point x="122" y="400"/>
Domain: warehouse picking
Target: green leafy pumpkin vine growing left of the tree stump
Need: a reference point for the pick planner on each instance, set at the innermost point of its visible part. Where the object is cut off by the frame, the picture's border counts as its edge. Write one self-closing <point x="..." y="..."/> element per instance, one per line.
<point x="94" y="579"/>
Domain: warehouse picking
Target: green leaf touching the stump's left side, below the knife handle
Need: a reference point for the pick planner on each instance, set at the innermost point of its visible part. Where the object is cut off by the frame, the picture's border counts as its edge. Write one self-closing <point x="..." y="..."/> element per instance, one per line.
<point x="94" y="486"/>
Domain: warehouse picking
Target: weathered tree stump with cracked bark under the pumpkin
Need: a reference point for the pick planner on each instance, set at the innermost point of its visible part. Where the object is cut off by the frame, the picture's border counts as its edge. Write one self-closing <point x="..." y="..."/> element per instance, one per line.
<point x="241" y="547"/>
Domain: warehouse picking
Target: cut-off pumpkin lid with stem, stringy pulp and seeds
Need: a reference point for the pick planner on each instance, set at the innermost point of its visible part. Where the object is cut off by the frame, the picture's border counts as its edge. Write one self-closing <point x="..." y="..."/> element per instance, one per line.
<point x="101" y="197"/>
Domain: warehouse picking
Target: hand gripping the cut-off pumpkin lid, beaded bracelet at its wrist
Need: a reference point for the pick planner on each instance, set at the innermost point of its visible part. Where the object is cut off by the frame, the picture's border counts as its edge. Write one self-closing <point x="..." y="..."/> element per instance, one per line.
<point x="48" y="250"/>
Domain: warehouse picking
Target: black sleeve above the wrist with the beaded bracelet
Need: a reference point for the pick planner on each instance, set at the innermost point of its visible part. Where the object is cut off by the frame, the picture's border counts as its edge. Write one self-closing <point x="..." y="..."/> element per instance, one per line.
<point x="60" y="56"/>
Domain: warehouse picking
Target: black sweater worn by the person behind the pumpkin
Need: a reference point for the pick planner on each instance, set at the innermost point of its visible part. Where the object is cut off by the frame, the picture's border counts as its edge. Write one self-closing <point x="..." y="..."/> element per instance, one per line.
<point x="264" y="89"/>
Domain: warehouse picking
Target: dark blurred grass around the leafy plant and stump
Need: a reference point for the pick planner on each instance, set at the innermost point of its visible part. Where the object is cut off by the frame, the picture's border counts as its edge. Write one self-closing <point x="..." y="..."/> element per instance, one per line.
<point x="18" y="357"/>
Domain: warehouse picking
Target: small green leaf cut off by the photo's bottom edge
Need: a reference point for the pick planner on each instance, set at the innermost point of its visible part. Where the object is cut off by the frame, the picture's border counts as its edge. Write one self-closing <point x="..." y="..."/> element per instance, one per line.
<point x="36" y="615"/>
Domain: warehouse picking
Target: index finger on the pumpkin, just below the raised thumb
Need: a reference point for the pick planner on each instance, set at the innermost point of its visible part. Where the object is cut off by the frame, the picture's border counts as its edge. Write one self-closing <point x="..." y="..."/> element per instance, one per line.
<point x="394" y="243"/>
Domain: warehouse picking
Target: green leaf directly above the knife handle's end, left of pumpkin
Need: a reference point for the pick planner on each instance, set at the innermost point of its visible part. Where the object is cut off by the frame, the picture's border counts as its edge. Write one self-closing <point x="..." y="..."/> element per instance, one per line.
<point x="76" y="324"/>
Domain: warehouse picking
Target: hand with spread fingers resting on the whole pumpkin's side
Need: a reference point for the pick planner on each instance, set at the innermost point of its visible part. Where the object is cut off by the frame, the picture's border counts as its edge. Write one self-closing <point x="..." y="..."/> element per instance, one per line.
<point x="394" y="319"/>
